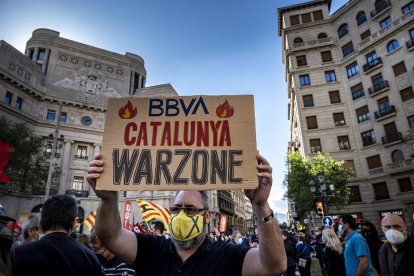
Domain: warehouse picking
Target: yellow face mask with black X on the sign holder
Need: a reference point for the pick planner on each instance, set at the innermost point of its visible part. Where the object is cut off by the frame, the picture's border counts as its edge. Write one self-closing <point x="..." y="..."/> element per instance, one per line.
<point x="184" y="228"/>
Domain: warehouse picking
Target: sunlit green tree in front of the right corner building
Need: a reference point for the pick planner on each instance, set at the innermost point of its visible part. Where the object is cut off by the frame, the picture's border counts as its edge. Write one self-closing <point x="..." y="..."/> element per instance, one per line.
<point x="302" y="169"/>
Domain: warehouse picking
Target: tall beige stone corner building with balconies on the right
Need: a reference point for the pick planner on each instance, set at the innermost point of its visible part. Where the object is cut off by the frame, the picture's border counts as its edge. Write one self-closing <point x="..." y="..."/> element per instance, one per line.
<point x="350" y="84"/>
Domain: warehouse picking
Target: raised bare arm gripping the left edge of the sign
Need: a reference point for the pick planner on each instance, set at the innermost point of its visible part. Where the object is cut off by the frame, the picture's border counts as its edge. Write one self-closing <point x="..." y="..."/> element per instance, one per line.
<point x="108" y="223"/>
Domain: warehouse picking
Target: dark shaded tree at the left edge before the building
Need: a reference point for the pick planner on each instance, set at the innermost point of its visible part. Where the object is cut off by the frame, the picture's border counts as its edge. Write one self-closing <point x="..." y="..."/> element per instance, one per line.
<point x="28" y="168"/>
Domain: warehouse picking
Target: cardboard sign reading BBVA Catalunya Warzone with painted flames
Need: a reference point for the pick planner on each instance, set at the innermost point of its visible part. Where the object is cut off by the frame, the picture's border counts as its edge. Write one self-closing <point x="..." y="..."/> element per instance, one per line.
<point x="179" y="143"/>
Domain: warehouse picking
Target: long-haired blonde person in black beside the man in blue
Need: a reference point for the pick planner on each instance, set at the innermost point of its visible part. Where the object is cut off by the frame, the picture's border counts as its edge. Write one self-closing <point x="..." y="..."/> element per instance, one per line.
<point x="332" y="254"/>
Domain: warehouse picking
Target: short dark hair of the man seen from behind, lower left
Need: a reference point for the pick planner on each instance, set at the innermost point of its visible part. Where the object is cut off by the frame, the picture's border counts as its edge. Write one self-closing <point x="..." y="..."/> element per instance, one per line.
<point x="58" y="213"/>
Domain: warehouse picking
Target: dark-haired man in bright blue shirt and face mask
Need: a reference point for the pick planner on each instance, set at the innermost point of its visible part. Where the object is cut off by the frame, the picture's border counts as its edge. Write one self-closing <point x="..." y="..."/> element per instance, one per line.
<point x="357" y="257"/>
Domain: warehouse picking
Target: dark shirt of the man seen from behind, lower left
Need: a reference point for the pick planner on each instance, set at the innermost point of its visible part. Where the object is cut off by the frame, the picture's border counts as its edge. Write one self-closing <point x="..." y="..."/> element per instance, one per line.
<point x="55" y="254"/>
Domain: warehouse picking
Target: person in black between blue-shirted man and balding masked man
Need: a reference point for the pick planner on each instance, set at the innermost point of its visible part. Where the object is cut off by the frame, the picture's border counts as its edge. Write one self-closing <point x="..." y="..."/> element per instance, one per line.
<point x="369" y="232"/>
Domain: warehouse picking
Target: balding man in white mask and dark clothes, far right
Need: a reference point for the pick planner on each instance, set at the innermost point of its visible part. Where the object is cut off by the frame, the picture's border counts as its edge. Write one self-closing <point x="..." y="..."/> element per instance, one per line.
<point x="397" y="256"/>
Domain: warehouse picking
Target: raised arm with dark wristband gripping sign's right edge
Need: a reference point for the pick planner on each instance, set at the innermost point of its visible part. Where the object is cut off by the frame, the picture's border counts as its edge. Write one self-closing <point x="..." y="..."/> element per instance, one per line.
<point x="270" y="257"/>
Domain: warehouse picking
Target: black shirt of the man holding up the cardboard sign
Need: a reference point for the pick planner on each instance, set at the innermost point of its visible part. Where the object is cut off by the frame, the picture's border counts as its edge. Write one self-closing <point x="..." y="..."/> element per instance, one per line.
<point x="157" y="256"/>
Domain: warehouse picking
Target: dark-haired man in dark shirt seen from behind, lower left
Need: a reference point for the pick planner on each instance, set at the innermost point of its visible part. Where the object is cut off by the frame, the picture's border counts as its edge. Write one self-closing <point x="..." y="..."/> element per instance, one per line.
<point x="56" y="253"/>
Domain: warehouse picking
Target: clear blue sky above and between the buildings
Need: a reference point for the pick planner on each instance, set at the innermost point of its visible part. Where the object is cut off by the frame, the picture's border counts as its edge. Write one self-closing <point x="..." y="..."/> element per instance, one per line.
<point x="211" y="47"/>
